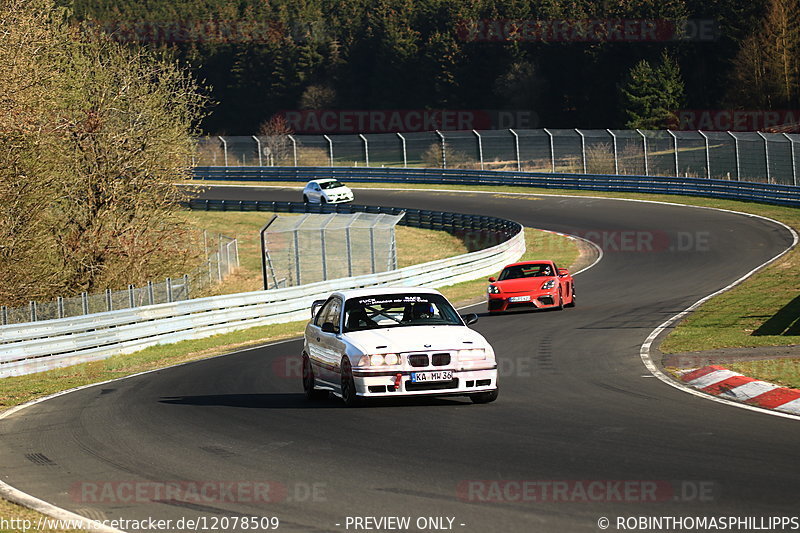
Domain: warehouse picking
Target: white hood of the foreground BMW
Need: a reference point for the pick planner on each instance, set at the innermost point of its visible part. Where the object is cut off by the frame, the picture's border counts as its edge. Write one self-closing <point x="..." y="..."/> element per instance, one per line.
<point x="416" y="339"/>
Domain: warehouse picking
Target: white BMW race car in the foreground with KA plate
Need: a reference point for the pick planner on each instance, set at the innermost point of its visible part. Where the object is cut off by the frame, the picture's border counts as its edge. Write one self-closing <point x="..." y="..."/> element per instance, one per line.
<point x="389" y="342"/>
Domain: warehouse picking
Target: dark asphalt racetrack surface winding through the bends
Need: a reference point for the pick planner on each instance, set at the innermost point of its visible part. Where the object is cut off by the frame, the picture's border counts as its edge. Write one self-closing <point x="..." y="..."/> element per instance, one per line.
<point x="577" y="408"/>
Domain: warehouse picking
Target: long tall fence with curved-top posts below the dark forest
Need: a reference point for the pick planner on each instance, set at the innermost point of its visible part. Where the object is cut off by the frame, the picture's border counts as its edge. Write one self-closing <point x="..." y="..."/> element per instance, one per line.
<point x="751" y="156"/>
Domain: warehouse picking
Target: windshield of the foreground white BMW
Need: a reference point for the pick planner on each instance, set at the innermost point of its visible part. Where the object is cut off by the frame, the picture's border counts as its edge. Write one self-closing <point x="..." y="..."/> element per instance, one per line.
<point x="398" y="310"/>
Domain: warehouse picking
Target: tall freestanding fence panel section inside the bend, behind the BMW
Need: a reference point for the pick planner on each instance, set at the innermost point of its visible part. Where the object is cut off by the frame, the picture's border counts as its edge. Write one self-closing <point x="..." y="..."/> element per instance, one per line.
<point x="316" y="247"/>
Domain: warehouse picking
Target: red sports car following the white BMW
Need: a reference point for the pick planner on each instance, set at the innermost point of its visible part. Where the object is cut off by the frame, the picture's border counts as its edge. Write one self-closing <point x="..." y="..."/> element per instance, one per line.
<point x="531" y="284"/>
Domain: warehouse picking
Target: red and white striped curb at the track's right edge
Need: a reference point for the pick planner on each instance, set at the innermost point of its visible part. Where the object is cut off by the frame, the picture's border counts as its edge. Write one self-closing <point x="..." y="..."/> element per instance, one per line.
<point x="725" y="383"/>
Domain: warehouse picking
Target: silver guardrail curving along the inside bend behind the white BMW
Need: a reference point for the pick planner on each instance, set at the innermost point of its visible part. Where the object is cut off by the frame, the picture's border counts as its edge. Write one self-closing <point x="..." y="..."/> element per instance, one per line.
<point x="39" y="346"/>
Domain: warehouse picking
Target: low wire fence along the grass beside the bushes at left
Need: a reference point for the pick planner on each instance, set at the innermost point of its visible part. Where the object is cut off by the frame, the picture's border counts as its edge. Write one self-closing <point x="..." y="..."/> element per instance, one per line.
<point x="222" y="255"/>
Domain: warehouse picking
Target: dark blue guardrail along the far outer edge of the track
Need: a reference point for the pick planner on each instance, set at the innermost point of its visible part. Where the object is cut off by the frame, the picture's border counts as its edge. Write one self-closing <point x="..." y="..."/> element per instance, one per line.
<point x="788" y="195"/>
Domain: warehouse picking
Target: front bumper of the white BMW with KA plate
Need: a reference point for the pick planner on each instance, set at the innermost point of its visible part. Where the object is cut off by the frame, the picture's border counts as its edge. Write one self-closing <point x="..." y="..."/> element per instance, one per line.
<point x="371" y="384"/>
